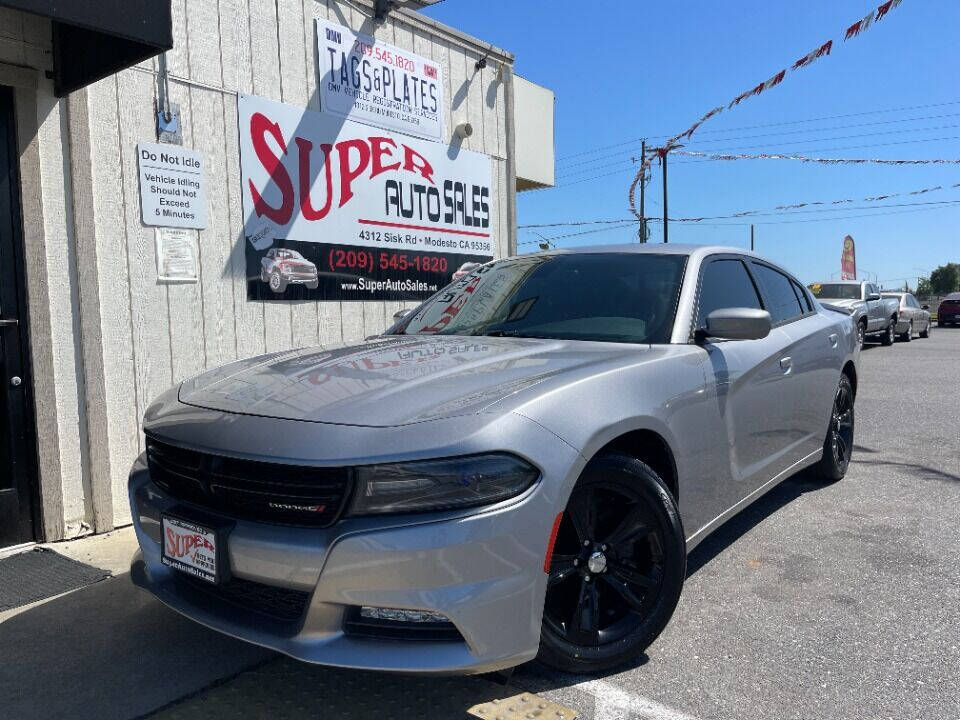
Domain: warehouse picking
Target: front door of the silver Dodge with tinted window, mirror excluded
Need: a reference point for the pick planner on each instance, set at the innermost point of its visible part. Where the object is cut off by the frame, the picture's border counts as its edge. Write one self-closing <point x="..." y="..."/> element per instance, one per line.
<point x="747" y="381"/>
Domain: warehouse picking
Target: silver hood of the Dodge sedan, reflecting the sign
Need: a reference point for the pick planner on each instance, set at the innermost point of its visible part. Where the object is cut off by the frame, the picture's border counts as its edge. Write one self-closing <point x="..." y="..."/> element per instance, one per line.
<point x="396" y="380"/>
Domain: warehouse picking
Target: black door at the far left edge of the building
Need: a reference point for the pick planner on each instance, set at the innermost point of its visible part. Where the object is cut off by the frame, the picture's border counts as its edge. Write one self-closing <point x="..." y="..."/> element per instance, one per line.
<point x="17" y="456"/>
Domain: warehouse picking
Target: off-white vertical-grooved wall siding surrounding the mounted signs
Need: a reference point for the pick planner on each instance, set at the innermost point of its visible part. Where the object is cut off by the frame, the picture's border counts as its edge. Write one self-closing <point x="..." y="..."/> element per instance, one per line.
<point x="140" y="337"/>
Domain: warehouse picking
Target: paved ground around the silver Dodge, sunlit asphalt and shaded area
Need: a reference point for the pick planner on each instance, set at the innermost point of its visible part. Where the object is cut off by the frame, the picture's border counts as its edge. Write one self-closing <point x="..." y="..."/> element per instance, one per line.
<point x="819" y="601"/>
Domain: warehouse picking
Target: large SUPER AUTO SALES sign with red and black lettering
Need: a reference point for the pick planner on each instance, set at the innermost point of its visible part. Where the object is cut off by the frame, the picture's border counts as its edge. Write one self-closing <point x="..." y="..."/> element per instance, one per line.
<point x="337" y="210"/>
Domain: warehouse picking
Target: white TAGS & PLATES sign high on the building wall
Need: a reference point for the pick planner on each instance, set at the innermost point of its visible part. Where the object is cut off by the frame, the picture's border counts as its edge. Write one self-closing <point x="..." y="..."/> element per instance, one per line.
<point x="372" y="82"/>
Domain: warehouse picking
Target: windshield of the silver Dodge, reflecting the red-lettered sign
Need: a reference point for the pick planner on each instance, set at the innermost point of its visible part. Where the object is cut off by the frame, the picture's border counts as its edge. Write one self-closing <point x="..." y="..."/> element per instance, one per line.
<point x="611" y="297"/>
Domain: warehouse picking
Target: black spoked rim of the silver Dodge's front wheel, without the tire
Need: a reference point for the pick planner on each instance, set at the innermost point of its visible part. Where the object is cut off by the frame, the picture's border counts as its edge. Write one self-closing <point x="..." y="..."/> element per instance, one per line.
<point x="607" y="568"/>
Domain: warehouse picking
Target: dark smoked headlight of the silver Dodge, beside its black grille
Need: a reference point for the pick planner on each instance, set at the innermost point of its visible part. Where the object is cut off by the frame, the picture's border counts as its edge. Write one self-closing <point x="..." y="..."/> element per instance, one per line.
<point x="440" y="484"/>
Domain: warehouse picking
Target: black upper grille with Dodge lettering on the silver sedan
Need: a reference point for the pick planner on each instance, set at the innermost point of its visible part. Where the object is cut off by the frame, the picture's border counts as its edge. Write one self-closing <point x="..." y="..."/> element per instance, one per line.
<point x="248" y="489"/>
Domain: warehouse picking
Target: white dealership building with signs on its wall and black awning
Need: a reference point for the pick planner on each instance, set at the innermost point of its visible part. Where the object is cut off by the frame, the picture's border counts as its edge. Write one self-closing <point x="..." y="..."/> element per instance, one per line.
<point x="186" y="182"/>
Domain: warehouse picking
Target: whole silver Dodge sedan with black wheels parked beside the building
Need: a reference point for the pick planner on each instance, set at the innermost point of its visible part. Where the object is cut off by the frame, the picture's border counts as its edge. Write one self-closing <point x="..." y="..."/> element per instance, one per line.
<point x="516" y="469"/>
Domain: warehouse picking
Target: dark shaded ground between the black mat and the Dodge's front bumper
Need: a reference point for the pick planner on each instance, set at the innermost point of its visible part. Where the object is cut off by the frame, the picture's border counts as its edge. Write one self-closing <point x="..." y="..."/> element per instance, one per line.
<point x="109" y="651"/>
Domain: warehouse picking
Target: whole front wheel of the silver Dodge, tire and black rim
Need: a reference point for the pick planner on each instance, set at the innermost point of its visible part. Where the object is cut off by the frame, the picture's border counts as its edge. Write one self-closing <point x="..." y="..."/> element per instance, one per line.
<point x="617" y="568"/>
